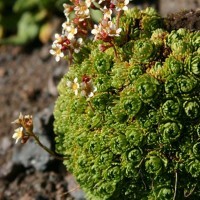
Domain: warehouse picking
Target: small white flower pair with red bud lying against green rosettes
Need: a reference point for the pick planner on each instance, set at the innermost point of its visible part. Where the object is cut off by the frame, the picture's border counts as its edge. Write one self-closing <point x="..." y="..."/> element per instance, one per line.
<point x="86" y="87"/>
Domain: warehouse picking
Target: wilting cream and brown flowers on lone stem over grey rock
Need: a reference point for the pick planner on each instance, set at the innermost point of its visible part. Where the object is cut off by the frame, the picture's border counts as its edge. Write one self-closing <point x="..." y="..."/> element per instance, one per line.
<point x="26" y="127"/>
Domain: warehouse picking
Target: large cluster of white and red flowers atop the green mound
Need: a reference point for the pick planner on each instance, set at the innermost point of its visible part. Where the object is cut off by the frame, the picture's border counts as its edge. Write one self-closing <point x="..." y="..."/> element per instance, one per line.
<point x="79" y="26"/>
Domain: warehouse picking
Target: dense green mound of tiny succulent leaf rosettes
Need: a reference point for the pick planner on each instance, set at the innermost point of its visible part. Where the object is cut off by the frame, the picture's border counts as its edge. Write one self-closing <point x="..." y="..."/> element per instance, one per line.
<point x="138" y="137"/>
